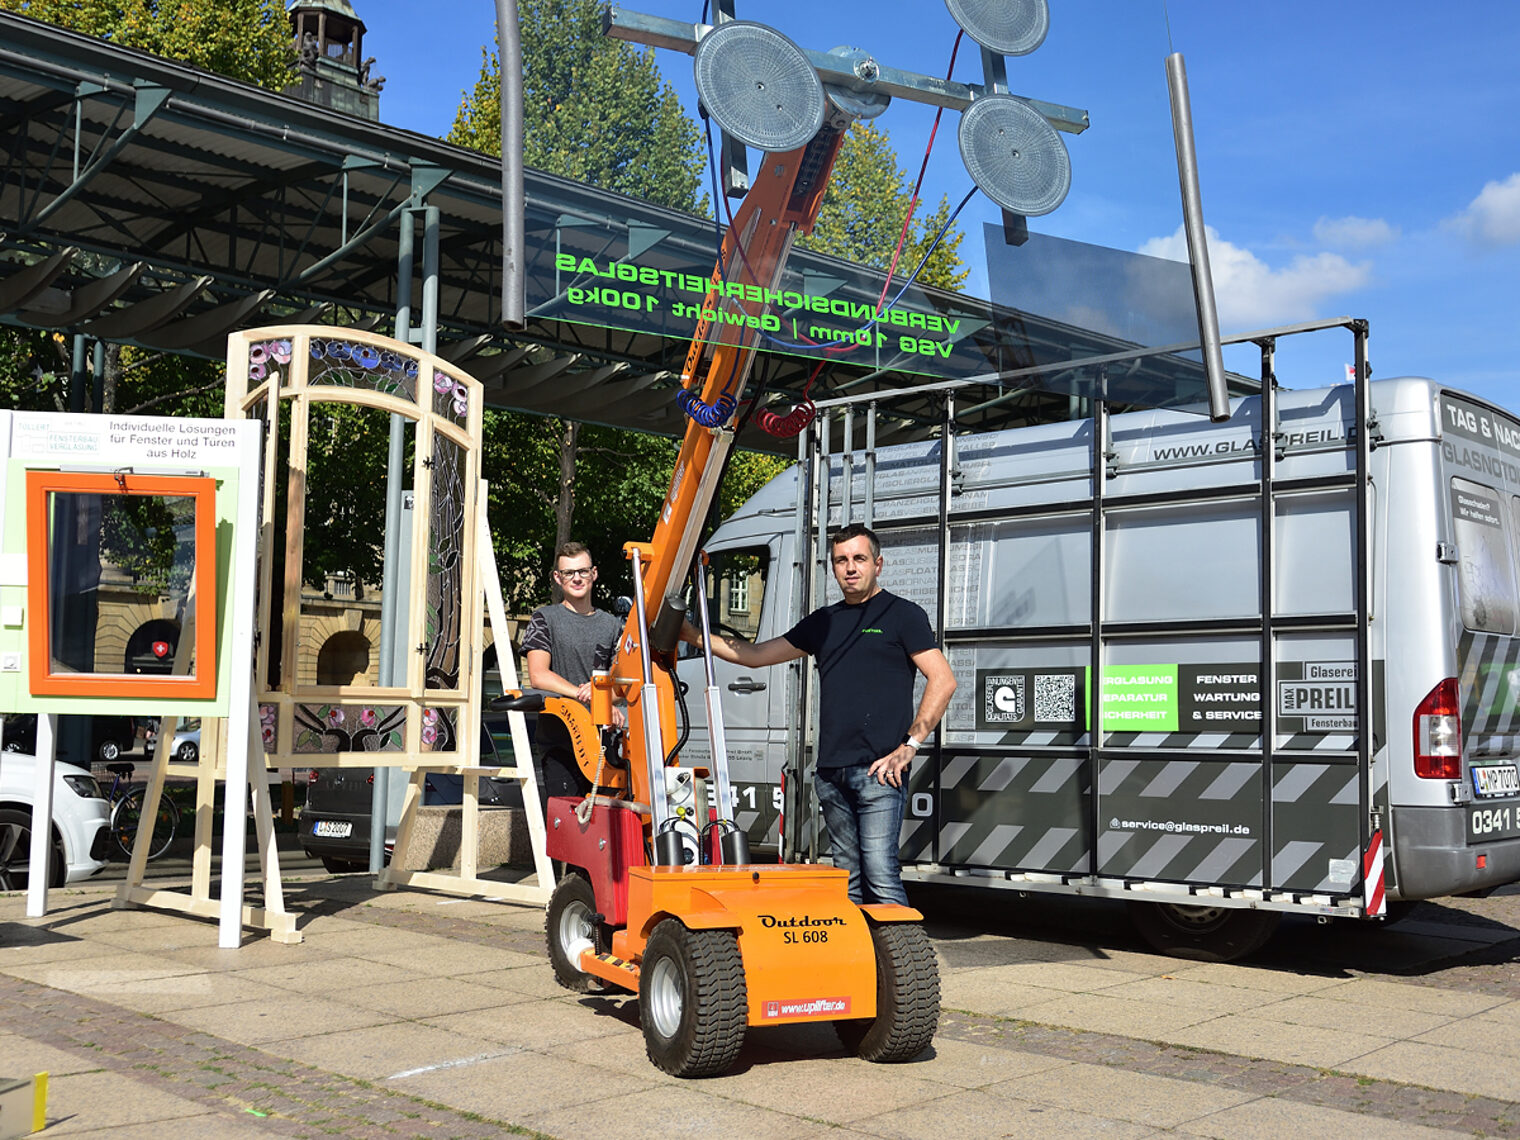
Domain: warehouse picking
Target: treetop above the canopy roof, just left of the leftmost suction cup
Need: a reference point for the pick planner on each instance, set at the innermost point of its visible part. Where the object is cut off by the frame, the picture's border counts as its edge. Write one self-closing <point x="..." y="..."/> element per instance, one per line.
<point x="594" y="109"/>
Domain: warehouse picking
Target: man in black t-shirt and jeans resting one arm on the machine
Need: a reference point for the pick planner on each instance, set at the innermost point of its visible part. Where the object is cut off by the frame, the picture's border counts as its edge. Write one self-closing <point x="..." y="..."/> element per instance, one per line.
<point x="869" y="648"/>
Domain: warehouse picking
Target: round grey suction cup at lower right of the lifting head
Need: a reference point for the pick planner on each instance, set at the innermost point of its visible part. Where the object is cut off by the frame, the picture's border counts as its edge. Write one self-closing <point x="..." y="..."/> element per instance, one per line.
<point x="1015" y="156"/>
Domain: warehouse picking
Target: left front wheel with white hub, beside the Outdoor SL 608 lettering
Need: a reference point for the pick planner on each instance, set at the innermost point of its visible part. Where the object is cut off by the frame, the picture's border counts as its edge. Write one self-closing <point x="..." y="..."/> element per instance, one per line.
<point x="694" y="1002"/>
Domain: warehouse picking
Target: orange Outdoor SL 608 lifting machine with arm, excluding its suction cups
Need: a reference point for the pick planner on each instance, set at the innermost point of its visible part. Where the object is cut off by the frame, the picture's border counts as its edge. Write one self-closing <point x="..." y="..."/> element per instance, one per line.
<point x="650" y="902"/>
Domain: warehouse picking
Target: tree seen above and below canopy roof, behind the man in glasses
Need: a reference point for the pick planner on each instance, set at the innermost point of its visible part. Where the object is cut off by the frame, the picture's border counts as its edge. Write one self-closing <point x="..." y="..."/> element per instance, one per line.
<point x="595" y="110"/>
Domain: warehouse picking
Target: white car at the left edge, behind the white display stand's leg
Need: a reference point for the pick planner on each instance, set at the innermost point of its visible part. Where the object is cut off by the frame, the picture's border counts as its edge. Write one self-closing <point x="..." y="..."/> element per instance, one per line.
<point x="81" y="817"/>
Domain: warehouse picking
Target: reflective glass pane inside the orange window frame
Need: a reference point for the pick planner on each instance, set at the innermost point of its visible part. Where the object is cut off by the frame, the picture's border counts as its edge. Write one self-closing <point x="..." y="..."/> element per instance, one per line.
<point x="121" y="572"/>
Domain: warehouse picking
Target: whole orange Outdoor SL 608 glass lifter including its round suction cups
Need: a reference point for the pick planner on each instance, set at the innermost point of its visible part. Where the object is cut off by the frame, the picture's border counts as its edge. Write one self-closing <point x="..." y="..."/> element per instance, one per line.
<point x="653" y="901"/>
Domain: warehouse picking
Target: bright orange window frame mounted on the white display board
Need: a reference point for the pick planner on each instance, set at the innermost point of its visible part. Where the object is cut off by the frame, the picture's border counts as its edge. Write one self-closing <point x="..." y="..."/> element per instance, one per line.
<point x="201" y="683"/>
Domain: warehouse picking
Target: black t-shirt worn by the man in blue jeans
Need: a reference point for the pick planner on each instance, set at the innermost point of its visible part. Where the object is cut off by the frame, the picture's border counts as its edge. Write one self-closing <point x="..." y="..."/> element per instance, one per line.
<point x="867" y="673"/>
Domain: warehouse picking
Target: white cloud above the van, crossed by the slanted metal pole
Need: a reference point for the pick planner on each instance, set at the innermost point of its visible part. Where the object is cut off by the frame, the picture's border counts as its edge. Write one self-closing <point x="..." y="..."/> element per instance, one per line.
<point x="1250" y="294"/>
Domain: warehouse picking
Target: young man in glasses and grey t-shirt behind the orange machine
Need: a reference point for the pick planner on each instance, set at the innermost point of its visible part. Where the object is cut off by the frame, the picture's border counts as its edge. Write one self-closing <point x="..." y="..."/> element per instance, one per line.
<point x="565" y="644"/>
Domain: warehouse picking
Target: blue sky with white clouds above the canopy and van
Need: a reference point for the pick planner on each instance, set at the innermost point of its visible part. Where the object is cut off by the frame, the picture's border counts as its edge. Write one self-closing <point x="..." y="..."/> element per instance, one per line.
<point x="1357" y="159"/>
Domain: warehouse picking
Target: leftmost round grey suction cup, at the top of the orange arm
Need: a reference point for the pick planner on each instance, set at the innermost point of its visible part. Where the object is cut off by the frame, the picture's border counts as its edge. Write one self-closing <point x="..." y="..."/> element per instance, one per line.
<point x="759" y="86"/>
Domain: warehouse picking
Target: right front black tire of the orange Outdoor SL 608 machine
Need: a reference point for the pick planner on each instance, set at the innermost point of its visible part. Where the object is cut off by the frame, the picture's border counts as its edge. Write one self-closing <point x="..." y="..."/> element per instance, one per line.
<point x="907" y="998"/>
